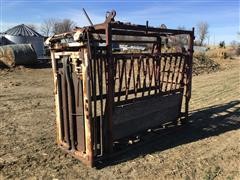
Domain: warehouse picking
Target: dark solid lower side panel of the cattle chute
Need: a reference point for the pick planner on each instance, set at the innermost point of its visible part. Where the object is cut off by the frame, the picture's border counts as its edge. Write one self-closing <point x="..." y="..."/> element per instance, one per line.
<point x="145" y="114"/>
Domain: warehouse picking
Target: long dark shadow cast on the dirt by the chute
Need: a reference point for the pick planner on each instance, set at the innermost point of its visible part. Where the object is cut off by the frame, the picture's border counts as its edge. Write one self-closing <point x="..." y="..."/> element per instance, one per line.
<point x="203" y="123"/>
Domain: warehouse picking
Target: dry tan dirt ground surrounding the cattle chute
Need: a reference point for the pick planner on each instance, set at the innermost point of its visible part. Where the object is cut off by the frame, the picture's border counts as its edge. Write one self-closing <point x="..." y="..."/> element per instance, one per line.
<point x="207" y="148"/>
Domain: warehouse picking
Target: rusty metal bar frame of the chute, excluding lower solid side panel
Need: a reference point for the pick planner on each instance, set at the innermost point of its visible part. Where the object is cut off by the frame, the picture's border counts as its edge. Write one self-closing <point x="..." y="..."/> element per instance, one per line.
<point x="96" y="68"/>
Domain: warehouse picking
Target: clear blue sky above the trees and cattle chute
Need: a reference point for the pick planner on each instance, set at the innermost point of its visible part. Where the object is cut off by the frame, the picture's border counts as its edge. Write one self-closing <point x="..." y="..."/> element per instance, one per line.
<point x="222" y="15"/>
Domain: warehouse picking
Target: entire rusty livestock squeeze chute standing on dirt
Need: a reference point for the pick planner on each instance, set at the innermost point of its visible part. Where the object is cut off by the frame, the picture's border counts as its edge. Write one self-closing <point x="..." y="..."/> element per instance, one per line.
<point x="117" y="80"/>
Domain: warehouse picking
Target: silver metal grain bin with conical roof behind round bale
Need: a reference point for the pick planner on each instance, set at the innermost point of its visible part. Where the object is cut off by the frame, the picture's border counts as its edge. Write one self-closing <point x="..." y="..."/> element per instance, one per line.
<point x="23" y="34"/>
